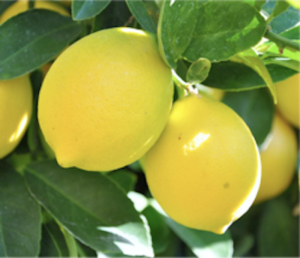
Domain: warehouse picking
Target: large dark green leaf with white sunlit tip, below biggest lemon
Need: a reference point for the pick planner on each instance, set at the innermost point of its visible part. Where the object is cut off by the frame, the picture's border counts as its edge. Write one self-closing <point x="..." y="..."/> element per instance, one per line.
<point x="91" y="207"/>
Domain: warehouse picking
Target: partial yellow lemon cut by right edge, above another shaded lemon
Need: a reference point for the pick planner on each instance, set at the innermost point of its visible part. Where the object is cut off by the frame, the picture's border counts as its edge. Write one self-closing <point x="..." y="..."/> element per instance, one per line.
<point x="288" y="93"/>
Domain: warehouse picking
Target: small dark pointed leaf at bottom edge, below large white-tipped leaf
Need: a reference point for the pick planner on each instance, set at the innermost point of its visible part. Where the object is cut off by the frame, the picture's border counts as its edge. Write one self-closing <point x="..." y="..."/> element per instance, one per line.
<point x="53" y="244"/>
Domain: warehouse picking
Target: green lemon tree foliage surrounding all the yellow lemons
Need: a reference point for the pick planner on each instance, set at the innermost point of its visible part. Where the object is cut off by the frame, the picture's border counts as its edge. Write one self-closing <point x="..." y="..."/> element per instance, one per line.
<point x="47" y="211"/>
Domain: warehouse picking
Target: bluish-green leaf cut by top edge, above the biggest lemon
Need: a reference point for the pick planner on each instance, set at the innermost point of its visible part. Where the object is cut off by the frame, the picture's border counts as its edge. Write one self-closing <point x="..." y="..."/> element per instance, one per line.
<point x="85" y="9"/>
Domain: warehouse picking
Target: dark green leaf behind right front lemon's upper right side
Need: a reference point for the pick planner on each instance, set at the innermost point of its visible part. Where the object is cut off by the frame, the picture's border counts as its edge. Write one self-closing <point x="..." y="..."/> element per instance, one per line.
<point x="256" y="108"/>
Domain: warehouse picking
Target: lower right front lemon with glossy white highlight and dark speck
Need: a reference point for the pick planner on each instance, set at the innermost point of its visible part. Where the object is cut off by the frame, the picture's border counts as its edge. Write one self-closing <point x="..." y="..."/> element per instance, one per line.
<point x="204" y="170"/>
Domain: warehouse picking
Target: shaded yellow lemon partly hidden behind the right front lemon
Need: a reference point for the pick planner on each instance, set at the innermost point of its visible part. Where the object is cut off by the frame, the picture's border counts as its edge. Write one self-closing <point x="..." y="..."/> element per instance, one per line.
<point x="278" y="160"/>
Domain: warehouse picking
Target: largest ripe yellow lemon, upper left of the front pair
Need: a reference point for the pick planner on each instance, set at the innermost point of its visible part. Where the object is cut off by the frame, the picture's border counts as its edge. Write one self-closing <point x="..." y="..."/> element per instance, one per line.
<point x="105" y="100"/>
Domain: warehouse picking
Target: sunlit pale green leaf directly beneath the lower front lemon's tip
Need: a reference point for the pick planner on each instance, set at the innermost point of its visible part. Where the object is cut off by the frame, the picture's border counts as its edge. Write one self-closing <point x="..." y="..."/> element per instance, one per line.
<point x="204" y="243"/>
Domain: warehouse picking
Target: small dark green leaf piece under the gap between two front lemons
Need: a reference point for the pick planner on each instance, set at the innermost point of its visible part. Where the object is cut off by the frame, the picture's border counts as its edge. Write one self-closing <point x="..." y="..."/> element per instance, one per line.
<point x="124" y="178"/>
